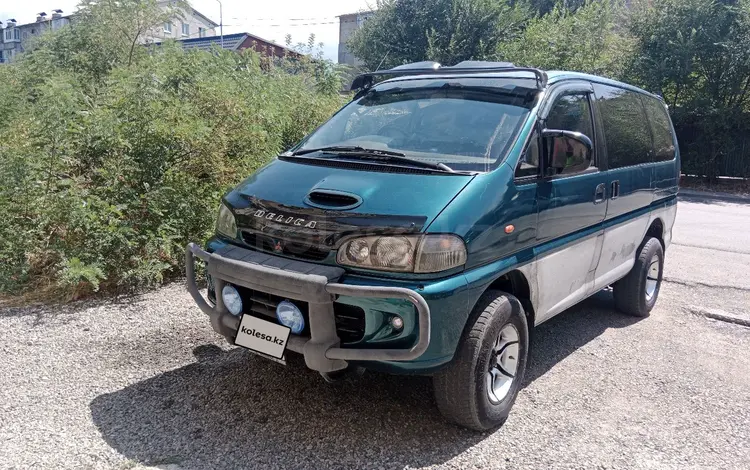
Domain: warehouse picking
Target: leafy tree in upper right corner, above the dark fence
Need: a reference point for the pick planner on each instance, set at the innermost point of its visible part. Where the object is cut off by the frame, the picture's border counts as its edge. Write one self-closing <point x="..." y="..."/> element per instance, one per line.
<point x="694" y="50"/>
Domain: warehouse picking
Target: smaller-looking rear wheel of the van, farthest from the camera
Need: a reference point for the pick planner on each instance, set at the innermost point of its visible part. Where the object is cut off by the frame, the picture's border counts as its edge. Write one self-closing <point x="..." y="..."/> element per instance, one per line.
<point x="636" y="293"/>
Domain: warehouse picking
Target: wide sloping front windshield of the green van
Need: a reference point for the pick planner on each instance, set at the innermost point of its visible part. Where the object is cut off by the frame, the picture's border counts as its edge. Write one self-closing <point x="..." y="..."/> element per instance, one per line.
<point x="466" y="123"/>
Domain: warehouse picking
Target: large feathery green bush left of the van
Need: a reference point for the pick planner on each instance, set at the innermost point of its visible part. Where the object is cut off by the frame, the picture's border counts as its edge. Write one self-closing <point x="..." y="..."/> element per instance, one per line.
<point x="110" y="168"/>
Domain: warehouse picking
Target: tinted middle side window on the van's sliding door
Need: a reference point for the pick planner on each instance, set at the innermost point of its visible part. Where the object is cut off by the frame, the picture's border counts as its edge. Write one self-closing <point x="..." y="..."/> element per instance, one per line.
<point x="626" y="128"/>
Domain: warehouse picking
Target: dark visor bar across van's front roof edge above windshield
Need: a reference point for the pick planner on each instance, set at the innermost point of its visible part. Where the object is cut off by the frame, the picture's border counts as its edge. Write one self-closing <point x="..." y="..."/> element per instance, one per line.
<point x="366" y="80"/>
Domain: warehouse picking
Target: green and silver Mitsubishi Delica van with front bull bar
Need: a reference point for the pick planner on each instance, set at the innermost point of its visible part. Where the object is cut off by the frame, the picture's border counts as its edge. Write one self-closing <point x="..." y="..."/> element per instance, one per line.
<point x="434" y="221"/>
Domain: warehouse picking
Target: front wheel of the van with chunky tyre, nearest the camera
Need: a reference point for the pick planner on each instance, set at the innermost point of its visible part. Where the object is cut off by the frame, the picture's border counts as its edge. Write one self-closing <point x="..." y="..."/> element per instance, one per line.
<point x="479" y="387"/>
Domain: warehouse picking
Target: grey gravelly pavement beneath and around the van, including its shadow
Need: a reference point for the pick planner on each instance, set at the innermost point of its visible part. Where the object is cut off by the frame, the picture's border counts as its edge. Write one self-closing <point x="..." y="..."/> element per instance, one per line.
<point x="144" y="382"/>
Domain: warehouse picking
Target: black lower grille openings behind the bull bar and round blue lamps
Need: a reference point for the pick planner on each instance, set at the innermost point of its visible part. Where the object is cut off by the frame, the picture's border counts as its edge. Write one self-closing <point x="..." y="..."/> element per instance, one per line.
<point x="350" y="320"/>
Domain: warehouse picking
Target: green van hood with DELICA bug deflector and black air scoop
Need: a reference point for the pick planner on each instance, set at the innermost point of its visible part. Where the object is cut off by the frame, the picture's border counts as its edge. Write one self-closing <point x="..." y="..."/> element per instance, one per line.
<point x="288" y="206"/>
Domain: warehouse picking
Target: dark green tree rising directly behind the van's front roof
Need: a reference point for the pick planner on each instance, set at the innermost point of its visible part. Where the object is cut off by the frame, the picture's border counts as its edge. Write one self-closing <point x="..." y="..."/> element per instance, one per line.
<point x="446" y="31"/>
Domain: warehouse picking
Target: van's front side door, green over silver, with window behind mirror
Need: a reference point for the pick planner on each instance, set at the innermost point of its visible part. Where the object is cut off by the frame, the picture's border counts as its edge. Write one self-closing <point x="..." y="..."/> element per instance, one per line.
<point x="572" y="206"/>
